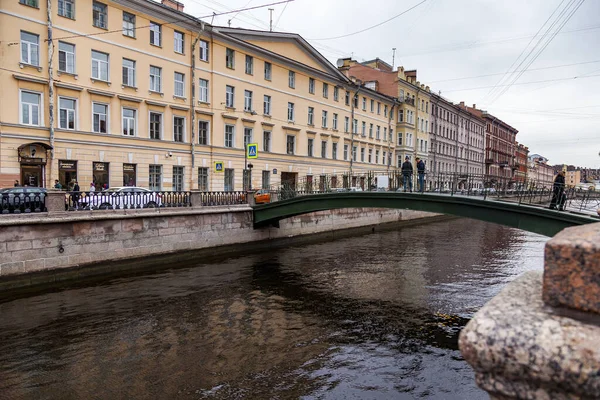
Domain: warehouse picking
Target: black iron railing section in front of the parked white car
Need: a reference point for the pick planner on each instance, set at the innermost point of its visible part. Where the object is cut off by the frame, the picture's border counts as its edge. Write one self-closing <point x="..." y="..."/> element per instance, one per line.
<point x="109" y="200"/>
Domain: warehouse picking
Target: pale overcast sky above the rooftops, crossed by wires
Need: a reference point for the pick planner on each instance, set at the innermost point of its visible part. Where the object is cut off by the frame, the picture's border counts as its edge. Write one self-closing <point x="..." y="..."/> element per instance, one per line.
<point x="449" y="39"/>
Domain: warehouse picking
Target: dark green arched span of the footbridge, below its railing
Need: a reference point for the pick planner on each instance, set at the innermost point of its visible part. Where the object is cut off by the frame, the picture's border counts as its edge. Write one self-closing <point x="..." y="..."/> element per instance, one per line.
<point x="529" y="218"/>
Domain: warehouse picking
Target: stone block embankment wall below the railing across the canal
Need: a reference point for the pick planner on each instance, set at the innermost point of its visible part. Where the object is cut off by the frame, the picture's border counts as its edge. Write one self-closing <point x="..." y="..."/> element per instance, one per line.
<point x="47" y="242"/>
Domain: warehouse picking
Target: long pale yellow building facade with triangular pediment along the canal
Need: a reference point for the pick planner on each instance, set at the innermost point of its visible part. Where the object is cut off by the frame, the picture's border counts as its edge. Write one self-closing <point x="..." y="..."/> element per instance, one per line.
<point x="142" y="94"/>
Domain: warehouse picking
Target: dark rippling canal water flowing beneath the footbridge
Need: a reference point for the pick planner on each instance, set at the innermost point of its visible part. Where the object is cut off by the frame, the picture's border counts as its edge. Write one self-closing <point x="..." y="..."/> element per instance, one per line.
<point x="368" y="317"/>
